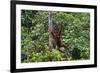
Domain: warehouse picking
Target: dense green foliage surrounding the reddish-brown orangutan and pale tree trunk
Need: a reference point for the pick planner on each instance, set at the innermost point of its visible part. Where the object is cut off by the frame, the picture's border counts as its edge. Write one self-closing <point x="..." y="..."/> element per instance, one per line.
<point x="34" y="36"/>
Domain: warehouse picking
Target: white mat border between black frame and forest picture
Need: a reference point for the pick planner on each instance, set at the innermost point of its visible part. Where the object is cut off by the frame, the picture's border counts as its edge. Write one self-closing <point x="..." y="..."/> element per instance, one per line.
<point x="20" y="65"/>
